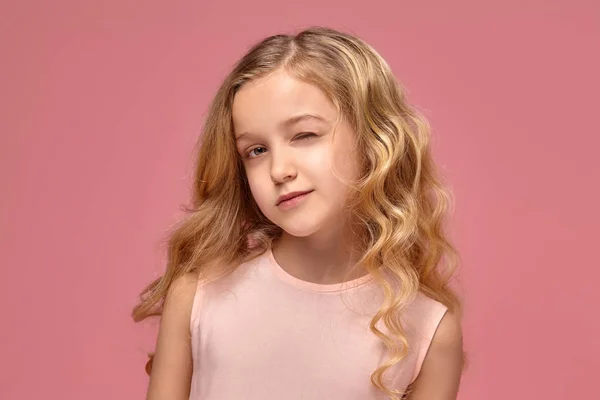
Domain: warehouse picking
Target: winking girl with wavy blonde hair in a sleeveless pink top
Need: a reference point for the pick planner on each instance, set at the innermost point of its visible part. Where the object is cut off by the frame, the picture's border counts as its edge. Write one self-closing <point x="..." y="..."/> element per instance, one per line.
<point x="313" y="263"/>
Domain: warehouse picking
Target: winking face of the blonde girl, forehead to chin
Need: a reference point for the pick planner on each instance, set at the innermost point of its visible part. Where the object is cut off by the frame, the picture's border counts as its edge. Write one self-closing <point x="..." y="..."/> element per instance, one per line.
<point x="284" y="130"/>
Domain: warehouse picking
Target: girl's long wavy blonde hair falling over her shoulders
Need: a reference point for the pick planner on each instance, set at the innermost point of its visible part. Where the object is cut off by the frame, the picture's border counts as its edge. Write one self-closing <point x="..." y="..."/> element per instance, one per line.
<point x="400" y="202"/>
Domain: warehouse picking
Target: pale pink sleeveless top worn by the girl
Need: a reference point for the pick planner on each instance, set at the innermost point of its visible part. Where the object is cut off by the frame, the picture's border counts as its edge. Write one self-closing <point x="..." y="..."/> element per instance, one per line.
<point x="261" y="333"/>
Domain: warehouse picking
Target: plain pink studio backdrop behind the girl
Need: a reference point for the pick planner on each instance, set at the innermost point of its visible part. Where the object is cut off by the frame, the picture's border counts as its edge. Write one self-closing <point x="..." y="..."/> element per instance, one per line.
<point x="101" y="103"/>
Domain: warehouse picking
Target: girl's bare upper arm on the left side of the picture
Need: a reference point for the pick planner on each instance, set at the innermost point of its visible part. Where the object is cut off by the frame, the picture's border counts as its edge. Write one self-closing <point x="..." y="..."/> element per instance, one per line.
<point x="172" y="365"/>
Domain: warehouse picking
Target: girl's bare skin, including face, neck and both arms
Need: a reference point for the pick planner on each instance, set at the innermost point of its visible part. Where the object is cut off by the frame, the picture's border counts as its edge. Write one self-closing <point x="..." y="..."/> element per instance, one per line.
<point x="316" y="244"/>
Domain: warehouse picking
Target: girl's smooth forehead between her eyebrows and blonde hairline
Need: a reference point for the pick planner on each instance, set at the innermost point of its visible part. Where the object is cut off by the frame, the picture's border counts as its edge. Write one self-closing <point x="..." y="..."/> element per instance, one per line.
<point x="262" y="105"/>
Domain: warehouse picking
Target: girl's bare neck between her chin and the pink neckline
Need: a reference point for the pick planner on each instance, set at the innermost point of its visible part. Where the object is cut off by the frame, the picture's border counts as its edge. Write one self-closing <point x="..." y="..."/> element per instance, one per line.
<point x="323" y="258"/>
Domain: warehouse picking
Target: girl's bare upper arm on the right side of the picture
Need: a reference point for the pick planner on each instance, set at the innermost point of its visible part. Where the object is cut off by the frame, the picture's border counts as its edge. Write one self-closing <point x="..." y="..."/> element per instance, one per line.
<point x="440" y="374"/>
